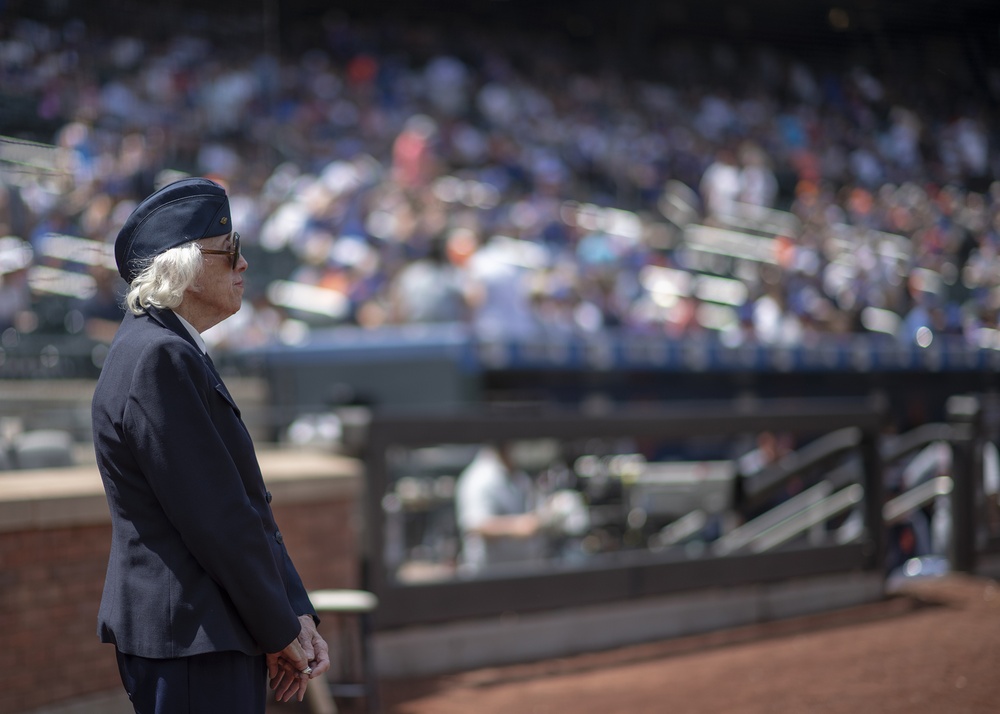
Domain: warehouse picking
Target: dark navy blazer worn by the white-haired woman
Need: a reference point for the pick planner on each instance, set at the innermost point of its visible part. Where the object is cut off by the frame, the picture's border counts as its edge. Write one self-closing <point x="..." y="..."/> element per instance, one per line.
<point x="197" y="562"/>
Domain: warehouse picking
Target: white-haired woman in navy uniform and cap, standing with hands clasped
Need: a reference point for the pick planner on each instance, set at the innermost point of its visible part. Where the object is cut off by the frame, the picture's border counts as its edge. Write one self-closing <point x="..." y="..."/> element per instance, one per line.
<point x="201" y="599"/>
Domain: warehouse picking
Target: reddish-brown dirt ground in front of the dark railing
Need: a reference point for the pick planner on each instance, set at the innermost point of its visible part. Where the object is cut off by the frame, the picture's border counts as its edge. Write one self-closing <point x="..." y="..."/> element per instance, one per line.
<point x="933" y="649"/>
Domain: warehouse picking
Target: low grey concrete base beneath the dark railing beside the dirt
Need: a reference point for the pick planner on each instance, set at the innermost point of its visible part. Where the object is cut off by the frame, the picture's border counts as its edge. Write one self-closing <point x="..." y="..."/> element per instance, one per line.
<point x="514" y="638"/>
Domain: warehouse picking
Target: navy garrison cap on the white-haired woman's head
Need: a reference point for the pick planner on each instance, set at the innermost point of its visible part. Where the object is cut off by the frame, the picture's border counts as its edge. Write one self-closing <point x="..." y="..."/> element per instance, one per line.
<point x="178" y="213"/>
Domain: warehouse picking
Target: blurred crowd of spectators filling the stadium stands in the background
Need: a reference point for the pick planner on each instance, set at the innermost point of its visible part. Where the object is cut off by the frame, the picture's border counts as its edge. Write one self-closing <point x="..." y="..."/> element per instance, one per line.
<point x="407" y="174"/>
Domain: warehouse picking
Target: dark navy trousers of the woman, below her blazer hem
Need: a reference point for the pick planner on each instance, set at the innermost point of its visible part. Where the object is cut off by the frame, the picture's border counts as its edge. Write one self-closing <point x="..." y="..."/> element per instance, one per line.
<point x="210" y="683"/>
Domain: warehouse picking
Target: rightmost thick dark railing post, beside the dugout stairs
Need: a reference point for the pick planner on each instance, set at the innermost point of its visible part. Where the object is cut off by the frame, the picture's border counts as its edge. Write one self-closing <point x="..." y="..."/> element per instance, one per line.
<point x="964" y="415"/>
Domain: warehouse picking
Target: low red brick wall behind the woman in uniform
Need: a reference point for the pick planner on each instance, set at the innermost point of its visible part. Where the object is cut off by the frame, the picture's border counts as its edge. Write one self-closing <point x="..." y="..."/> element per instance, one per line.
<point x="52" y="574"/>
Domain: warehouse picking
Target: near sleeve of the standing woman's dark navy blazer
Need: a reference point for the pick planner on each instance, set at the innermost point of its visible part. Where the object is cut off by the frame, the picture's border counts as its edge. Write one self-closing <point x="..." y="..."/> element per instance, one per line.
<point x="170" y="424"/>
